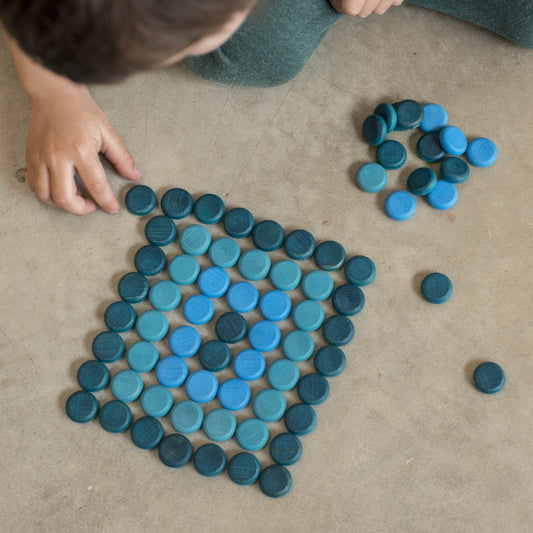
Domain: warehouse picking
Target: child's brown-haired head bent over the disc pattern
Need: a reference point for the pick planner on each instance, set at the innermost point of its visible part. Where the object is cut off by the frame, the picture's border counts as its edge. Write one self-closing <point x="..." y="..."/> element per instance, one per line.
<point x="106" y="40"/>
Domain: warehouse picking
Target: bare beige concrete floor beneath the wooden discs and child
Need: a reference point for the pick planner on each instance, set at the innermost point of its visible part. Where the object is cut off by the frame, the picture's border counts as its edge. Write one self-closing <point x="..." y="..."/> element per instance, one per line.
<point x="405" y="443"/>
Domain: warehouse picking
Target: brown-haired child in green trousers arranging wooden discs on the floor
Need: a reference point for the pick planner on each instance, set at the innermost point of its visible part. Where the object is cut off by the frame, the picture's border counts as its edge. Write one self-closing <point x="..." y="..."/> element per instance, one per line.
<point x="70" y="42"/>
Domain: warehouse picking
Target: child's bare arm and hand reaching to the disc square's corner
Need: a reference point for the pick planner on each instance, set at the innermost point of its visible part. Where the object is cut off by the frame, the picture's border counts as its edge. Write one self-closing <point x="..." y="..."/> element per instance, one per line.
<point x="67" y="131"/>
